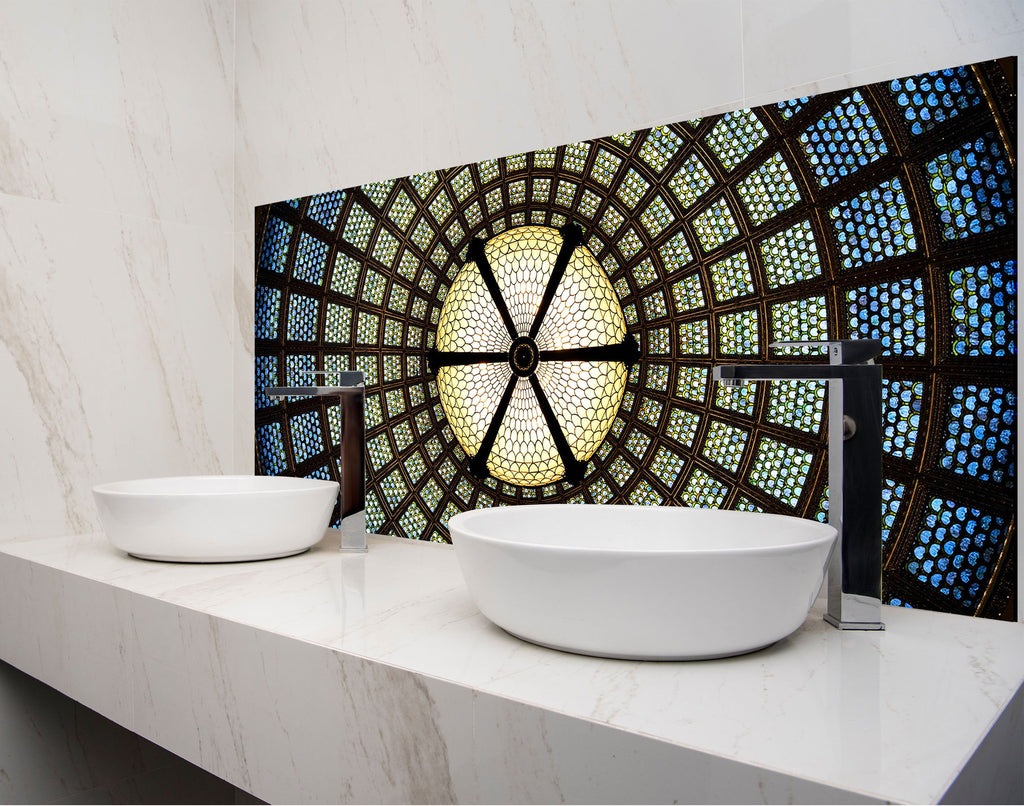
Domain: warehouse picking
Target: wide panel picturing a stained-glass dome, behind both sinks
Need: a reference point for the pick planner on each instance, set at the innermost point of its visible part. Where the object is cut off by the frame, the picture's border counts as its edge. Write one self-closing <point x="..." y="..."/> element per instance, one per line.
<point x="541" y="327"/>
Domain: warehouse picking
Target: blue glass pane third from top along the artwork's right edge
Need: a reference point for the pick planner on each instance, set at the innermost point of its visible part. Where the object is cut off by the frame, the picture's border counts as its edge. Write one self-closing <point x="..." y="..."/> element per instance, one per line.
<point x="984" y="310"/>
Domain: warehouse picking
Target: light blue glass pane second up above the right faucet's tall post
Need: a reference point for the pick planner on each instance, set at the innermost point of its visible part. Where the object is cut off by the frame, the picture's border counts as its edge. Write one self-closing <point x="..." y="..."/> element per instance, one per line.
<point x="874" y="226"/>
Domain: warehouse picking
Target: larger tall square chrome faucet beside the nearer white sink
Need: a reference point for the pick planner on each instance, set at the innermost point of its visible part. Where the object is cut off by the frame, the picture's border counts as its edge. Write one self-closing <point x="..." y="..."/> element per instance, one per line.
<point x="855" y="588"/>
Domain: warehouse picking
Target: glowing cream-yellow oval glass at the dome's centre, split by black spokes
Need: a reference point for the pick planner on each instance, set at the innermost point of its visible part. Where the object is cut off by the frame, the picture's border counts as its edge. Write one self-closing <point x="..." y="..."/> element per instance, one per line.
<point x="583" y="397"/>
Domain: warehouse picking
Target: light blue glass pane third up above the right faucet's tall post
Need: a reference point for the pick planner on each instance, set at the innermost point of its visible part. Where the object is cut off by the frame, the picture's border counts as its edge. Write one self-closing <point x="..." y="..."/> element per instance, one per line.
<point x="843" y="141"/>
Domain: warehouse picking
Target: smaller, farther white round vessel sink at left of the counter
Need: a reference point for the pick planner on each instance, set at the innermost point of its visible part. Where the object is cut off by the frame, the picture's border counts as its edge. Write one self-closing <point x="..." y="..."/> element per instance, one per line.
<point x="216" y="519"/>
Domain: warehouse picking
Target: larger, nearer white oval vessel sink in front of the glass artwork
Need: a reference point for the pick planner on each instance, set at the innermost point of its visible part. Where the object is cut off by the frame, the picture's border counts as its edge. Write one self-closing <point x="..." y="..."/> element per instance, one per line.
<point x="643" y="583"/>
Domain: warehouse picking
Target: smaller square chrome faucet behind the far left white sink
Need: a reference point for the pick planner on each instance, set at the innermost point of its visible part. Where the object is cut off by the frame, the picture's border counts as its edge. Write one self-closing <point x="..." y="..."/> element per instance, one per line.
<point x="351" y="388"/>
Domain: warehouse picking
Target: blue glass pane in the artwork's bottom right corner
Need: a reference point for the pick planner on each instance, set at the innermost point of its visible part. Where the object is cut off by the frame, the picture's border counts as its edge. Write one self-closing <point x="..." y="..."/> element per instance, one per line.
<point x="957" y="549"/>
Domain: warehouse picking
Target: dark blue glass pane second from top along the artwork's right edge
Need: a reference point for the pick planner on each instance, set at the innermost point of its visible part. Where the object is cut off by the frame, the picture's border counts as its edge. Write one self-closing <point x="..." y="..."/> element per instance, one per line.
<point x="973" y="188"/>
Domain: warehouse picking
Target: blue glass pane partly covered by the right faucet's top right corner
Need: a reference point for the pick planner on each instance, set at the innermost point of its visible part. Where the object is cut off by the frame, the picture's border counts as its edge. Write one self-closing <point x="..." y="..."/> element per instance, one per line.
<point x="891" y="313"/>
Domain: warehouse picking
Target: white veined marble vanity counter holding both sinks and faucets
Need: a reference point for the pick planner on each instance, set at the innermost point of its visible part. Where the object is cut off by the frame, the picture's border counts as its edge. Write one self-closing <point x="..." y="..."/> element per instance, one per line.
<point x="373" y="678"/>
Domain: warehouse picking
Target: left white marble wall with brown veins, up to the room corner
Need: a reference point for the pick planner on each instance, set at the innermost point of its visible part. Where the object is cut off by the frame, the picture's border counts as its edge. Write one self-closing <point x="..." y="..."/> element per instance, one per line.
<point x="116" y="218"/>
